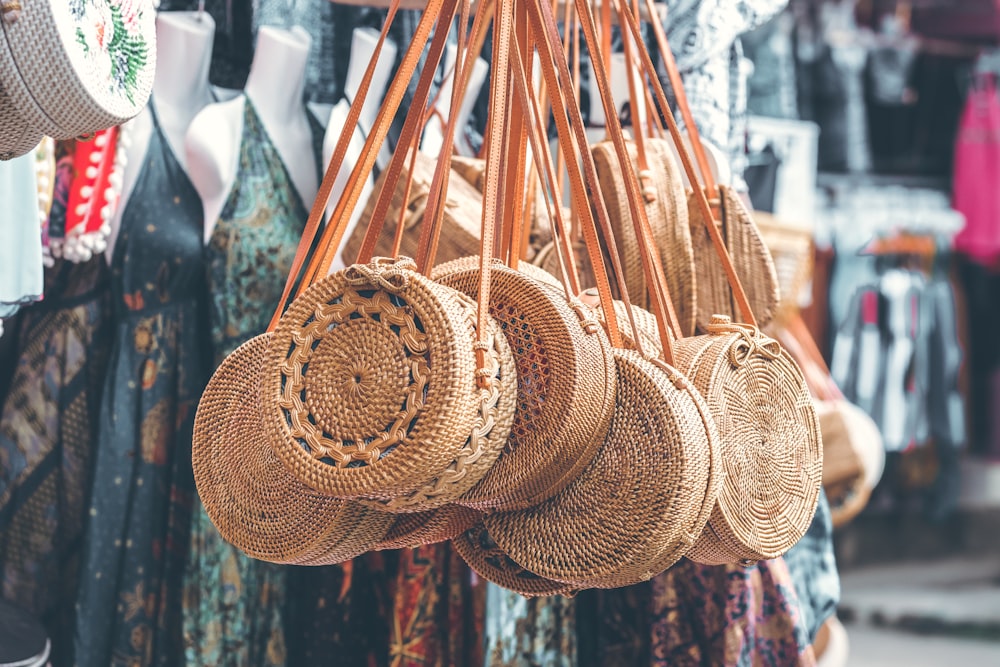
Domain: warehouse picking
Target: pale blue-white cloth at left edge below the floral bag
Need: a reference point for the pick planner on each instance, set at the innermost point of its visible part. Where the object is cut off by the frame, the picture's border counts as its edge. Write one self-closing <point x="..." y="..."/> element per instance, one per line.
<point x="21" y="251"/>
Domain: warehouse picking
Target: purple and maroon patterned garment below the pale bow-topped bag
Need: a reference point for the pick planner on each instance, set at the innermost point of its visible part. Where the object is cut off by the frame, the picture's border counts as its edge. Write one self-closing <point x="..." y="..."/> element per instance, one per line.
<point x="728" y="616"/>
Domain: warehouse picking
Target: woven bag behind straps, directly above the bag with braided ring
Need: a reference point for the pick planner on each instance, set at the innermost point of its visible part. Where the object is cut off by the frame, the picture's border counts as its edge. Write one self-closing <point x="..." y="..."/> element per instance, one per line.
<point x="460" y="229"/>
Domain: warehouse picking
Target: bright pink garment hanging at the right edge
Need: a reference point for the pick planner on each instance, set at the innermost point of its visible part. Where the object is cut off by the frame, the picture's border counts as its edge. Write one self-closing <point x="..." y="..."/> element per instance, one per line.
<point x="977" y="174"/>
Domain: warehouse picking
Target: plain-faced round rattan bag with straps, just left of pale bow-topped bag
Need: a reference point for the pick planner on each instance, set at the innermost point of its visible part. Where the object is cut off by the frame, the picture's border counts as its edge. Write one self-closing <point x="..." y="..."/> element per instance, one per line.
<point x="641" y="503"/>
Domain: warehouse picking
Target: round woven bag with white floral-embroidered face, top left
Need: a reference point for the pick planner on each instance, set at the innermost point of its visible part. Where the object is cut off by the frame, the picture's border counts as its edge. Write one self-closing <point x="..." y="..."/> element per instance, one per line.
<point x="72" y="68"/>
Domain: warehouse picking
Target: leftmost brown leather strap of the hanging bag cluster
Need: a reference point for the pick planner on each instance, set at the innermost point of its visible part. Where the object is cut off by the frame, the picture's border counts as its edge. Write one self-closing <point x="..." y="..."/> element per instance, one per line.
<point x="336" y="162"/>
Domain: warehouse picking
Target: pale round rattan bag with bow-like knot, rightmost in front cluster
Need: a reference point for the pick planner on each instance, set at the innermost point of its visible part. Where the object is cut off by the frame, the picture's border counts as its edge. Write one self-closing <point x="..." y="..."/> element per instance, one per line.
<point x="772" y="450"/>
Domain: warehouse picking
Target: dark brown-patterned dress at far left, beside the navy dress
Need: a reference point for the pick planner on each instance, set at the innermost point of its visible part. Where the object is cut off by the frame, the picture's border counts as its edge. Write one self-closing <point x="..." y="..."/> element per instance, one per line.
<point x="47" y="431"/>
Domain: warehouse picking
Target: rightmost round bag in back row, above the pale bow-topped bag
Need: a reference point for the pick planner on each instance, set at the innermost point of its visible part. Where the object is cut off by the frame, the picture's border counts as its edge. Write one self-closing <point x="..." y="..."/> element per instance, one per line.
<point x="751" y="259"/>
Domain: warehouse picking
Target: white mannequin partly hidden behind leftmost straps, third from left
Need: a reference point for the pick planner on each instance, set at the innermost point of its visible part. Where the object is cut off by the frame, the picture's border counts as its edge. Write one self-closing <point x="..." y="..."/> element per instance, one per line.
<point x="362" y="51"/>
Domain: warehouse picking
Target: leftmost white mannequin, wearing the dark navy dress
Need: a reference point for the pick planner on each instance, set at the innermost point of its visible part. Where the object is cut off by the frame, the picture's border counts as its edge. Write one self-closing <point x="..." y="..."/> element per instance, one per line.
<point x="180" y="90"/>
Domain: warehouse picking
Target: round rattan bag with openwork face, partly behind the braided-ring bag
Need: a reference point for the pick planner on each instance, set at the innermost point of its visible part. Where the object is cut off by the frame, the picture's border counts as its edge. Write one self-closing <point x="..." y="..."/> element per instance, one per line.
<point x="565" y="386"/>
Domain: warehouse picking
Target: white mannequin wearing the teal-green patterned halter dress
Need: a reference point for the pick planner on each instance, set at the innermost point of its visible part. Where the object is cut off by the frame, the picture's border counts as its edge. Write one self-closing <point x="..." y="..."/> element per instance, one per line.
<point x="275" y="86"/>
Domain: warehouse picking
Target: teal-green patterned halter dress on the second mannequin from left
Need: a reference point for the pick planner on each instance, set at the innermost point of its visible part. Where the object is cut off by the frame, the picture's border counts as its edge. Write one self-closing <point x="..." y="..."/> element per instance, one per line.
<point x="233" y="603"/>
